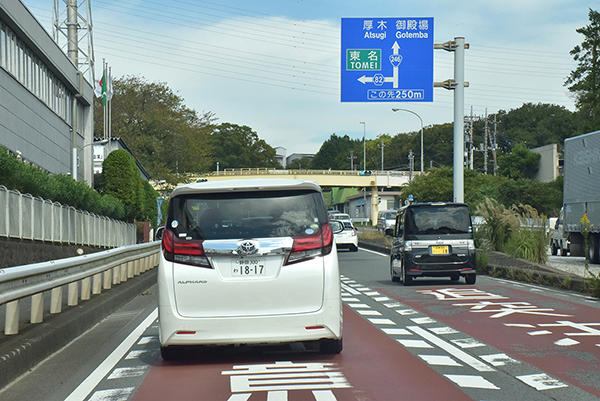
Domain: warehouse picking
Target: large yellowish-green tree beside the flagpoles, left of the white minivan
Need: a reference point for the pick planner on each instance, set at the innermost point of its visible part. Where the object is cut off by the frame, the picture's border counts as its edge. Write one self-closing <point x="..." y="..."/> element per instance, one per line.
<point x="163" y="134"/>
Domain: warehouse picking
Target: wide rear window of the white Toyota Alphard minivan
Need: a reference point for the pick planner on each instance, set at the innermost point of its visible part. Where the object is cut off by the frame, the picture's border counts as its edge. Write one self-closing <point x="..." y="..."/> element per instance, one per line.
<point x="246" y="214"/>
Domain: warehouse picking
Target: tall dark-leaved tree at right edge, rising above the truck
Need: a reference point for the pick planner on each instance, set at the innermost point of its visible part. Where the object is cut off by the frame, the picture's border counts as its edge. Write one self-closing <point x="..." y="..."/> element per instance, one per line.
<point x="584" y="81"/>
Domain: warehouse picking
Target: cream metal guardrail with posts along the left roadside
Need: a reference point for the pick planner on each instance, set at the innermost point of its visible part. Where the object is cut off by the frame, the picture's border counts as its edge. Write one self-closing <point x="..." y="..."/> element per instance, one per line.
<point x="83" y="275"/>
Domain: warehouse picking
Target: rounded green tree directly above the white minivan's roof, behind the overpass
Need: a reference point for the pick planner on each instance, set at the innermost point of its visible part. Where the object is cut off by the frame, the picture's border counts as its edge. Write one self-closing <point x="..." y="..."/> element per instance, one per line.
<point x="238" y="146"/>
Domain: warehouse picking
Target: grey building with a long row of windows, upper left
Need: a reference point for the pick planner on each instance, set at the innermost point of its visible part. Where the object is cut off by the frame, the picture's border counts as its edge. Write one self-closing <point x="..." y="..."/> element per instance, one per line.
<point x="46" y="105"/>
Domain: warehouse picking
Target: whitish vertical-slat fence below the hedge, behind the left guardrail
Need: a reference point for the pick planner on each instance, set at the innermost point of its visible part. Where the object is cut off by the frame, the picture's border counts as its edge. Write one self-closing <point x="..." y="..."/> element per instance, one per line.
<point x="24" y="216"/>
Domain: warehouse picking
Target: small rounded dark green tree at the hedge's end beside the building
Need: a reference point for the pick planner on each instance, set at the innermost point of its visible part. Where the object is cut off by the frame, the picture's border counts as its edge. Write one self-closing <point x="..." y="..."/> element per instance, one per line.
<point x="121" y="179"/>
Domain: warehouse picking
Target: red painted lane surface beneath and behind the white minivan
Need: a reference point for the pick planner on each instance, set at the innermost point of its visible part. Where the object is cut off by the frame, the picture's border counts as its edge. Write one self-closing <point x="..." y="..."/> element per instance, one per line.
<point x="377" y="368"/>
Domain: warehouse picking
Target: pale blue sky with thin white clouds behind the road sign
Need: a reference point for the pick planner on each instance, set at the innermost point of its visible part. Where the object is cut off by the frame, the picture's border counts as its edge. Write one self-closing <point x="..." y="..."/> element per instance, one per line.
<point x="275" y="65"/>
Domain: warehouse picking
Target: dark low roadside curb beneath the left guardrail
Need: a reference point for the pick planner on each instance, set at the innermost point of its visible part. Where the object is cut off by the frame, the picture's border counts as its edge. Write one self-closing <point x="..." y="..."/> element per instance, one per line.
<point x="21" y="352"/>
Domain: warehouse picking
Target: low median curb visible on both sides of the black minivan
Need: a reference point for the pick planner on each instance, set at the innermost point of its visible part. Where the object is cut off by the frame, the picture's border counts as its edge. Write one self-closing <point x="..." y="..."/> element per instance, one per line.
<point x="510" y="268"/>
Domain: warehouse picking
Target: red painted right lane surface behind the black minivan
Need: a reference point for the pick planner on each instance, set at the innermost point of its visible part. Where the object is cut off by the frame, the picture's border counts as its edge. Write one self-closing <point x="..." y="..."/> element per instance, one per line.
<point x="571" y="364"/>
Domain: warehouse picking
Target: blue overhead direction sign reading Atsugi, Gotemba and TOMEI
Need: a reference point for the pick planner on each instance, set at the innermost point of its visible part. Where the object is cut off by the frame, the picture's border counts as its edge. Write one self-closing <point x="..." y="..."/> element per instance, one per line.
<point x="387" y="59"/>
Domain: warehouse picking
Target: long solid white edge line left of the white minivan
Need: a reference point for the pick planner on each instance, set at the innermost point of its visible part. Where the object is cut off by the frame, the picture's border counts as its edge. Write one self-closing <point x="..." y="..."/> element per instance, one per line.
<point x="108" y="364"/>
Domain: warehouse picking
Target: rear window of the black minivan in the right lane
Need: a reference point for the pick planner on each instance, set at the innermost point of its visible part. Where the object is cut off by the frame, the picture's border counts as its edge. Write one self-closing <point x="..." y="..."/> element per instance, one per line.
<point x="450" y="219"/>
